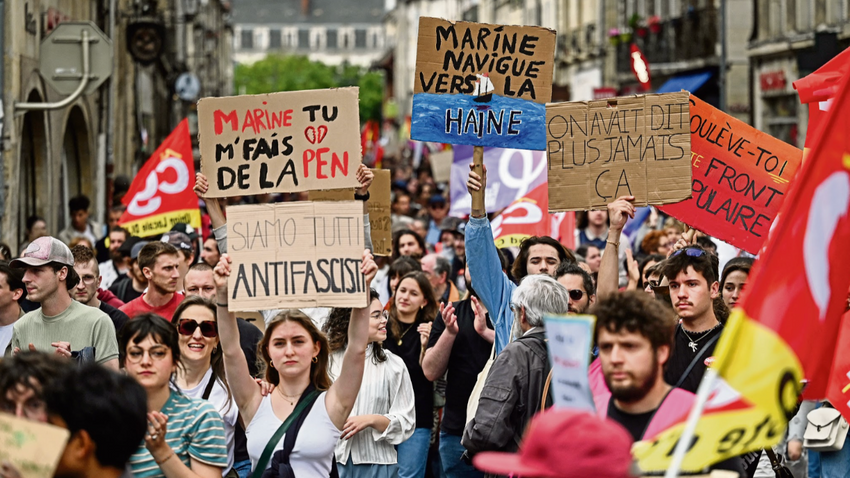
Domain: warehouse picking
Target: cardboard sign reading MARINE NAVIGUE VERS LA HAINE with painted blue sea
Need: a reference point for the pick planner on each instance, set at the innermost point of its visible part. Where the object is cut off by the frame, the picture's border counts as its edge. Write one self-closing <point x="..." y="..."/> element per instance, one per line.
<point x="482" y="85"/>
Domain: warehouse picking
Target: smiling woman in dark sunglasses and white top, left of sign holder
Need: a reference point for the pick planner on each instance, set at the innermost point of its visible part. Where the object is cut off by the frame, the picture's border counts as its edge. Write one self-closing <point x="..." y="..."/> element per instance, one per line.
<point x="202" y="372"/>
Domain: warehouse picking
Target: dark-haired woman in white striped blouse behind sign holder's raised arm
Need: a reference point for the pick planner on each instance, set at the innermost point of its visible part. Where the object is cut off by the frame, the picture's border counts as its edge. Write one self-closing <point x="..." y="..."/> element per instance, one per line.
<point x="383" y="413"/>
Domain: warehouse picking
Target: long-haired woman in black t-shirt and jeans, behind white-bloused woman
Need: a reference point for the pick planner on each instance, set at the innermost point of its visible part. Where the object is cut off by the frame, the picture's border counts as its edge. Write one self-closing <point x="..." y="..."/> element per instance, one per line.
<point x="412" y="310"/>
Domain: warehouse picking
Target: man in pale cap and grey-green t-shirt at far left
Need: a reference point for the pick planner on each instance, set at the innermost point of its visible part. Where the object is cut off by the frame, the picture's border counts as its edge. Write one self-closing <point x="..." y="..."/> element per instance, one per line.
<point x="61" y="325"/>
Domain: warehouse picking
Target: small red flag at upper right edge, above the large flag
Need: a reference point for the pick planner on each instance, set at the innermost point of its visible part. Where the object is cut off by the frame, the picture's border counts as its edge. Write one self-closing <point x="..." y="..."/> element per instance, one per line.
<point x="818" y="90"/>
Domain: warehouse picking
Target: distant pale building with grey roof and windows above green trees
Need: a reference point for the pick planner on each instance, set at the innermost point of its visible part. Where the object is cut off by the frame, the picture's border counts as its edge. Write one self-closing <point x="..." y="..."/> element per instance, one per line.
<point x="330" y="31"/>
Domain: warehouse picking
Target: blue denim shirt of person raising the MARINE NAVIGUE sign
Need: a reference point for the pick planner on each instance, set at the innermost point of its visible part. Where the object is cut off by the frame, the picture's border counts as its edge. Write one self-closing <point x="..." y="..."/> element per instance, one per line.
<point x="492" y="285"/>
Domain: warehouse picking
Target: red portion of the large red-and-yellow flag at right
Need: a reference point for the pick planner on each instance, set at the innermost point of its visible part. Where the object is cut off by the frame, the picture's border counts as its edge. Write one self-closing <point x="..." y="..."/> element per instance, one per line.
<point x="799" y="285"/>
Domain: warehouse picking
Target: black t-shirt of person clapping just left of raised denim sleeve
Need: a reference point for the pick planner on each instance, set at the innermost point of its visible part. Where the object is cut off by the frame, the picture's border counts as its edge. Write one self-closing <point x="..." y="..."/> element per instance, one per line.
<point x="468" y="356"/>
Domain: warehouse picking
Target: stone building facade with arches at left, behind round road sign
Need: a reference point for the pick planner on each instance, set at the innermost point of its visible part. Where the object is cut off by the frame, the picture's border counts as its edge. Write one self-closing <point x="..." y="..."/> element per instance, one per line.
<point x="51" y="156"/>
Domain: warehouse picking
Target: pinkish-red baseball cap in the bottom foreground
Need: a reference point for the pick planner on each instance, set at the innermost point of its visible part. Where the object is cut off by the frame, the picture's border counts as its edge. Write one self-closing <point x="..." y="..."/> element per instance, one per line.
<point x="598" y="448"/>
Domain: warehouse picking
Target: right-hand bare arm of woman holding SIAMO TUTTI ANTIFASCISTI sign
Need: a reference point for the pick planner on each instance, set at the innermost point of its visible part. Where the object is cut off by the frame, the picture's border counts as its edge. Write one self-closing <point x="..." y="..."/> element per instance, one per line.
<point x="342" y="394"/>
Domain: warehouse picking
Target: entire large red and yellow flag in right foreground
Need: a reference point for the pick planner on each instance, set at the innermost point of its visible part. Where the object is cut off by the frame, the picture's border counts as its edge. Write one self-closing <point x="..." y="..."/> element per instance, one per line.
<point x="788" y="323"/>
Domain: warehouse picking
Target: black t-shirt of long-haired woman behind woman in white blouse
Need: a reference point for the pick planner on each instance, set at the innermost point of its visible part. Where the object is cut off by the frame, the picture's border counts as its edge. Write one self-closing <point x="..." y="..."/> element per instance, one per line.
<point x="423" y="389"/>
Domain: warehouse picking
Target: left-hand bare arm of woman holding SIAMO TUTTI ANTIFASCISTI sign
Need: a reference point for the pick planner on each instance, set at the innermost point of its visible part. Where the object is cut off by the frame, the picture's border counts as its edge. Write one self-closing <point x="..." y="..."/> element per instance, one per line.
<point x="245" y="390"/>
